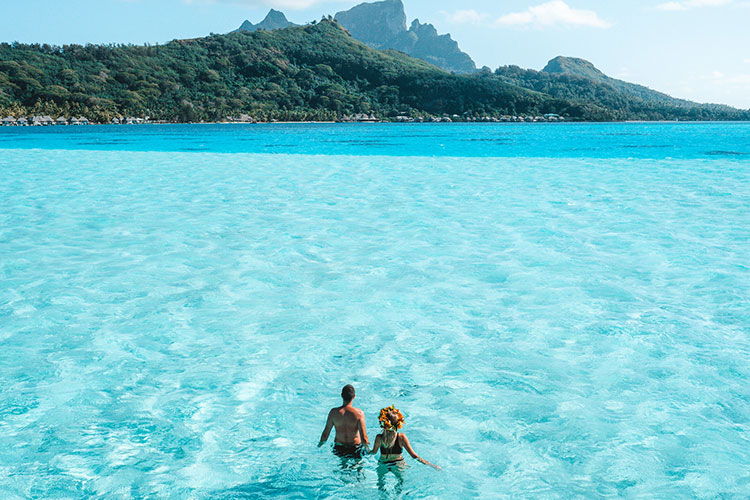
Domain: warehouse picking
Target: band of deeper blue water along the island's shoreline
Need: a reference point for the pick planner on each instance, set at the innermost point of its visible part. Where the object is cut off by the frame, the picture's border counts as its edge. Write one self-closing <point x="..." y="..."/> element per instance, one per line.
<point x="559" y="140"/>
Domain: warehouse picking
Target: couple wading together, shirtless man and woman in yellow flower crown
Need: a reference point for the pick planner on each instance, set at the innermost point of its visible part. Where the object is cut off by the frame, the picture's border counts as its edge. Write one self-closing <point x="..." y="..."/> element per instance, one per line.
<point x="351" y="433"/>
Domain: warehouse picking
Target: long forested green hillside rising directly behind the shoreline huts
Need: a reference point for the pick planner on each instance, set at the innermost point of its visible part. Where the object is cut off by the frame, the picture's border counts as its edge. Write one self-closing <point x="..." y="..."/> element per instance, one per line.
<point x="313" y="72"/>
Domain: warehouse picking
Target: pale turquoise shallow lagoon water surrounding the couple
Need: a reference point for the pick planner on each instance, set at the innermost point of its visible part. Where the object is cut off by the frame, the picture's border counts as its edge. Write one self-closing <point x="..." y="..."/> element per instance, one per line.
<point x="177" y="324"/>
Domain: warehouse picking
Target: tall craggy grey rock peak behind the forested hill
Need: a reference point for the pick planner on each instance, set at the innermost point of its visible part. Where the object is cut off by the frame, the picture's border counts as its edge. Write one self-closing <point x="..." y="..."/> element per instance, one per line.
<point x="382" y="25"/>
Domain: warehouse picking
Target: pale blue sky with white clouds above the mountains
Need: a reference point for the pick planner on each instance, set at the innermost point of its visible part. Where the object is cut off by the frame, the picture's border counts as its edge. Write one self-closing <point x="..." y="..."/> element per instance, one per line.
<point x="692" y="49"/>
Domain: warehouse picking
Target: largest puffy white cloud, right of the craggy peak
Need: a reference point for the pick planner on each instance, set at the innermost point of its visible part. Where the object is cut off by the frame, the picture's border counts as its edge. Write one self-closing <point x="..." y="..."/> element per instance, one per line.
<point x="554" y="13"/>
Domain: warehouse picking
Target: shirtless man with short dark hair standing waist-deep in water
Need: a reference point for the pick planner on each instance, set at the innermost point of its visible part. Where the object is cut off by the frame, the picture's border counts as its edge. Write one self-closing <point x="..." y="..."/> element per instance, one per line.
<point x="351" y="434"/>
